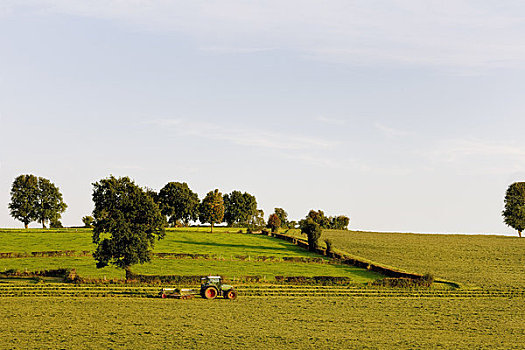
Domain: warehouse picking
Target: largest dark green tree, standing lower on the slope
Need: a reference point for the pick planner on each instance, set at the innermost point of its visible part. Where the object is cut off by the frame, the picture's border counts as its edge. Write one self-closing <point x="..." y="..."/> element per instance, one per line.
<point x="127" y="222"/>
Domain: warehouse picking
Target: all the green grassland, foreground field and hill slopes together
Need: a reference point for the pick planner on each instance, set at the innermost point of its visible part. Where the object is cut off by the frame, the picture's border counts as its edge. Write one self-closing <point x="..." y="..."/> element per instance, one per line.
<point x="47" y="313"/>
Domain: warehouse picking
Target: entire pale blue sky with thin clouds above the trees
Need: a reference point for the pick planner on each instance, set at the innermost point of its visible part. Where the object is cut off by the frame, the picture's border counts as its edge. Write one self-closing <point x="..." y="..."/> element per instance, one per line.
<point x="403" y="115"/>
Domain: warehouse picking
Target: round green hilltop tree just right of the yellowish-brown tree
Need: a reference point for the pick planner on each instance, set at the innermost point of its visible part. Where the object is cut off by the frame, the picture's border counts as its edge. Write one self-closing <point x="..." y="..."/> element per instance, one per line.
<point x="239" y="208"/>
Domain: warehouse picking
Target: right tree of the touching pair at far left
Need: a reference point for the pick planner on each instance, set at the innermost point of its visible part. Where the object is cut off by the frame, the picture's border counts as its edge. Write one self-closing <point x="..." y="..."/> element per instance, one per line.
<point x="50" y="204"/>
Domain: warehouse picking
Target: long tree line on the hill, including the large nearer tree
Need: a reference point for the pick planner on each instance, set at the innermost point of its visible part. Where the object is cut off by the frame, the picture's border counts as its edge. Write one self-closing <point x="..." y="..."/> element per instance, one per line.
<point x="127" y="219"/>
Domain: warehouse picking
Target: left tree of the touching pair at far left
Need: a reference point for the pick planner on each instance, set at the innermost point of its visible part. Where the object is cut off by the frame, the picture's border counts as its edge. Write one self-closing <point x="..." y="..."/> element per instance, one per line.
<point x="24" y="199"/>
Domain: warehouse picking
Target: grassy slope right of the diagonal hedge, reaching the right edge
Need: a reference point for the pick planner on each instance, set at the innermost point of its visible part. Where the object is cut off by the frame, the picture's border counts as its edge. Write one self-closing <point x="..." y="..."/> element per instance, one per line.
<point x="478" y="260"/>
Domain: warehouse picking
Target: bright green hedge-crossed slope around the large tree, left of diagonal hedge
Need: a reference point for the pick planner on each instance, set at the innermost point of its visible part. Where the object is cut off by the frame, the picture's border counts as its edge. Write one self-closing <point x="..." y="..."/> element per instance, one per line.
<point x="223" y="245"/>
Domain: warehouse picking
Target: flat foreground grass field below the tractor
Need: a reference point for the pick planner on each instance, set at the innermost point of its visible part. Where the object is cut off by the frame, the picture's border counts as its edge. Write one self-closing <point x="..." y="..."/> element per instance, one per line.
<point x="261" y="323"/>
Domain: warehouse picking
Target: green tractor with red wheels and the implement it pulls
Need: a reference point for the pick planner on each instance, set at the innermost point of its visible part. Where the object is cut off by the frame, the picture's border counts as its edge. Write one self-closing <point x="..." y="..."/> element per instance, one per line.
<point x="211" y="287"/>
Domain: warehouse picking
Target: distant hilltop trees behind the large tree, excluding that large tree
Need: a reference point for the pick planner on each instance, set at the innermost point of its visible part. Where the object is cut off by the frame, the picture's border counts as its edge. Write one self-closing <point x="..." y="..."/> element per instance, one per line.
<point x="38" y="199"/>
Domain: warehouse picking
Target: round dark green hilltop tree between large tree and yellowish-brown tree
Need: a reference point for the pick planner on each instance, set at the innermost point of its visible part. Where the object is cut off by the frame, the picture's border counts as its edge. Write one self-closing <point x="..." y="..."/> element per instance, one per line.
<point x="178" y="202"/>
